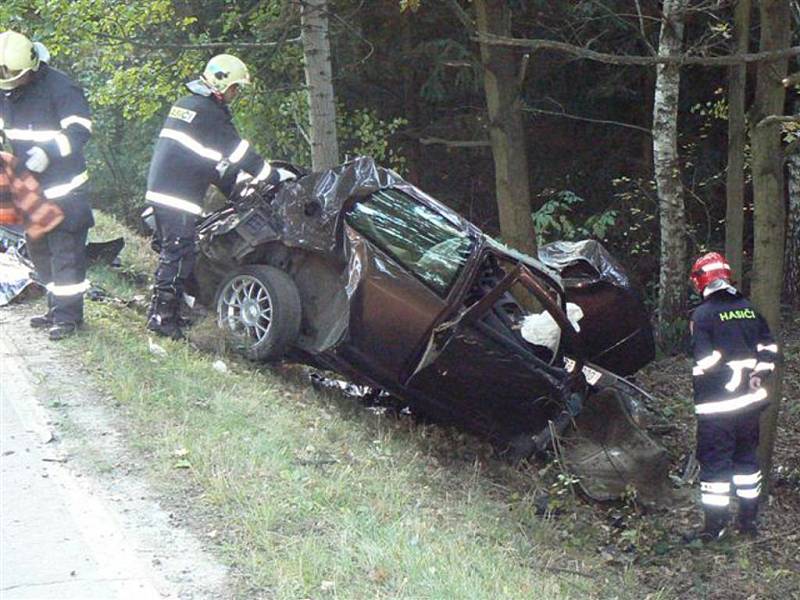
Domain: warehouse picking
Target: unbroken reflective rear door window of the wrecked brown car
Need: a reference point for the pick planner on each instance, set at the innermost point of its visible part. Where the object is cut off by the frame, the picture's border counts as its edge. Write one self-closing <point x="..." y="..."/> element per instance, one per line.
<point x="426" y="243"/>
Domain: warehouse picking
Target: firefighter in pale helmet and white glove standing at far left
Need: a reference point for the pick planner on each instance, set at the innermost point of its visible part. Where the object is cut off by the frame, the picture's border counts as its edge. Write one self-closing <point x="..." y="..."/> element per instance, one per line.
<point x="45" y="118"/>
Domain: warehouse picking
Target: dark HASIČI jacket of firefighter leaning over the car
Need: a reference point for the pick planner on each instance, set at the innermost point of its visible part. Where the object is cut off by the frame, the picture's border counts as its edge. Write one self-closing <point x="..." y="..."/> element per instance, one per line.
<point x="198" y="146"/>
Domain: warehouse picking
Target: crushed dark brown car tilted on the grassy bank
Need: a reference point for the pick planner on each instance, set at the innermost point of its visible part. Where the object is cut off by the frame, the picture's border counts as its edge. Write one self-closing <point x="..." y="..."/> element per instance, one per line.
<point x="356" y="271"/>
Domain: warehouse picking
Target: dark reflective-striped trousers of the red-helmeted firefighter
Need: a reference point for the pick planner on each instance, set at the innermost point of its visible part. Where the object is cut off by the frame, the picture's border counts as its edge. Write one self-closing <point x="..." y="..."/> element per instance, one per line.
<point x="726" y="450"/>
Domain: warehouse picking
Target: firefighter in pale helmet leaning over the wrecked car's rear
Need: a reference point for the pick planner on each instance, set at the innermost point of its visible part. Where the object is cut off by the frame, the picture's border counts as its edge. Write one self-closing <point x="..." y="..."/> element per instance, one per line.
<point x="197" y="146"/>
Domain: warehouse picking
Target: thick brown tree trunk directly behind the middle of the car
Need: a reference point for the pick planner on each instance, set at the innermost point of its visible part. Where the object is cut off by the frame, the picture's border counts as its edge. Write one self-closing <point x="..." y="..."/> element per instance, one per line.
<point x="506" y="128"/>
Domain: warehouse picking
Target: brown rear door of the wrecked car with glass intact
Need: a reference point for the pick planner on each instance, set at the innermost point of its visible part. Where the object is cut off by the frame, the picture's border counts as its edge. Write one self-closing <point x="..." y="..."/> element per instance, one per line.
<point x="404" y="259"/>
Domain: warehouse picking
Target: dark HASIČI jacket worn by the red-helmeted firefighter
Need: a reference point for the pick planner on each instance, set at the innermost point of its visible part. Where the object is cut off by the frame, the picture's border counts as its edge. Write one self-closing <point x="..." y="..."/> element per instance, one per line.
<point x="731" y="342"/>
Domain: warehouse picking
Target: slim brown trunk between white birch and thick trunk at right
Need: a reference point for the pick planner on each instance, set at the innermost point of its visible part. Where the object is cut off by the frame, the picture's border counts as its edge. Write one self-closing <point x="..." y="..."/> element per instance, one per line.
<point x="737" y="82"/>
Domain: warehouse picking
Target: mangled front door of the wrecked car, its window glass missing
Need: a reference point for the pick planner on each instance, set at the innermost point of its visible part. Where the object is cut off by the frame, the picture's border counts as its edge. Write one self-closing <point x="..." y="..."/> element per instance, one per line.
<point x="478" y="372"/>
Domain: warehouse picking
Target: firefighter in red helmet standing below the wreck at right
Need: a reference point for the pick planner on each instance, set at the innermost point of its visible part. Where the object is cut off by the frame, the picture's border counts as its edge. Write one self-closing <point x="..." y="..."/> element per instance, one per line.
<point x="734" y="353"/>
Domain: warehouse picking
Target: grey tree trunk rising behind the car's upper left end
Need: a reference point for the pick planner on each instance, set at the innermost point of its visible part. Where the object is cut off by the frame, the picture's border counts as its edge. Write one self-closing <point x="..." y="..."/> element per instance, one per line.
<point x="322" y="108"/>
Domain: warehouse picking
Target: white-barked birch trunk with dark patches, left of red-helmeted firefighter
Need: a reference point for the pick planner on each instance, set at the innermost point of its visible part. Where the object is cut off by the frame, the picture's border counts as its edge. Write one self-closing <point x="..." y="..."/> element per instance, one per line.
<point x="673" y="275"/>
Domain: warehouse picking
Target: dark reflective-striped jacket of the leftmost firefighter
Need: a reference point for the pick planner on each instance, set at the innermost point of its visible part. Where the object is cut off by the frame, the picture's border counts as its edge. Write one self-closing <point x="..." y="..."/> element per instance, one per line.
<point x="52" y="113"/>
